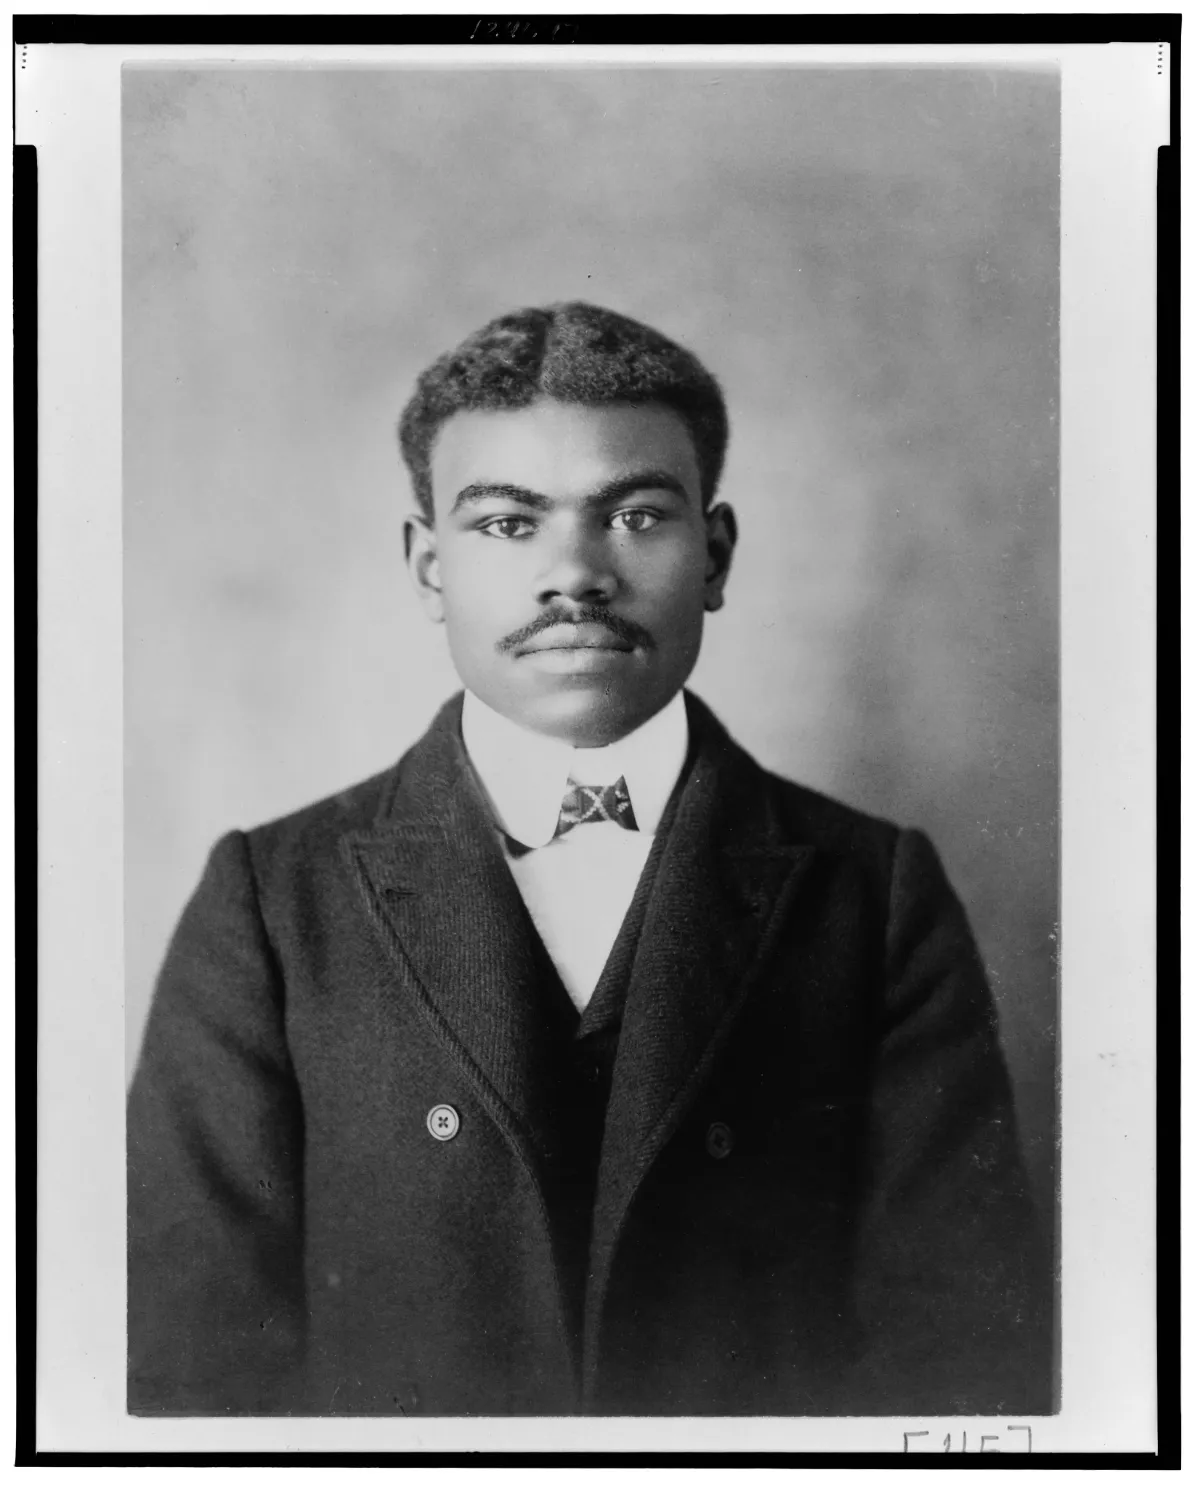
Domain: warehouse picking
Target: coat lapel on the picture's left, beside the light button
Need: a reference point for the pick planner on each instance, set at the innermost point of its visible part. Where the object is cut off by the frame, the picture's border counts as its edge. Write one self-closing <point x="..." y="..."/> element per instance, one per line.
<point x="449" y="911"/>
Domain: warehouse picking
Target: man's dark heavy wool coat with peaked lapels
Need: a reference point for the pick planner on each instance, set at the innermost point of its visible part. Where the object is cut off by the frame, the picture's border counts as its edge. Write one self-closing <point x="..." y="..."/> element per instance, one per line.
<point x="805" y="978"/>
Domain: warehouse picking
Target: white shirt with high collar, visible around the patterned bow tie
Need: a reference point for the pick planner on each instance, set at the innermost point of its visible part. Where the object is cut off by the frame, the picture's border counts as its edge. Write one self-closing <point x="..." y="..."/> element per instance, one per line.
<point x="578" y="888"/>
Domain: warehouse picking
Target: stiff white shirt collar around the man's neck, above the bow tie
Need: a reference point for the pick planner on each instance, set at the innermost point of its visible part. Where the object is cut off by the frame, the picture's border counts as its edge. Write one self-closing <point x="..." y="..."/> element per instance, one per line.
<point x="526" y="775"/>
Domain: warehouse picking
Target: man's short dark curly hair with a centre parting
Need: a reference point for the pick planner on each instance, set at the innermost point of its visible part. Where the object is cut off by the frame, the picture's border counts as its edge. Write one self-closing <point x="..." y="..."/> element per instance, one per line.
<point x="574" y="353"/>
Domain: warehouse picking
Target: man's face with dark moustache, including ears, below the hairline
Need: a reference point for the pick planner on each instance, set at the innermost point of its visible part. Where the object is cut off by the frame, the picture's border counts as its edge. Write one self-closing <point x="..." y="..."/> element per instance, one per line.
<point x="571" y="562"/>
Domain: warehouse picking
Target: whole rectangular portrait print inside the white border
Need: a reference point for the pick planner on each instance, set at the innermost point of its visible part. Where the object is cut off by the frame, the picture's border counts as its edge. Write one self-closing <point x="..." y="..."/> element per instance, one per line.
<point x="592" y="782"/>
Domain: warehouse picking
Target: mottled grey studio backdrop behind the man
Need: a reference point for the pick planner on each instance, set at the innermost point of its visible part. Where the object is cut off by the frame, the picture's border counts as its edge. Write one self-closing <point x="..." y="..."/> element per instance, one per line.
<point x="869" y="263"/>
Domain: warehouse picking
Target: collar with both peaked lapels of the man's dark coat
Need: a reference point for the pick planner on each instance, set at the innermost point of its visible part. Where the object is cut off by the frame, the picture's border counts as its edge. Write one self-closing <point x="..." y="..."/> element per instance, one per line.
<point x="444" y="901"/>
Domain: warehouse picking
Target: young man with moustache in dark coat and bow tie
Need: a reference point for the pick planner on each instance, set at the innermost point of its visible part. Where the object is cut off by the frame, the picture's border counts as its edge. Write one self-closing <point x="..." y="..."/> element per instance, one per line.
<point x="577" y="1063"/>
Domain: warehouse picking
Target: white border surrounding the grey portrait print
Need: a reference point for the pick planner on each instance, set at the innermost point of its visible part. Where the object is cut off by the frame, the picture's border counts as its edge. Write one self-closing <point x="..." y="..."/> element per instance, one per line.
<point x="1116" y="115"/>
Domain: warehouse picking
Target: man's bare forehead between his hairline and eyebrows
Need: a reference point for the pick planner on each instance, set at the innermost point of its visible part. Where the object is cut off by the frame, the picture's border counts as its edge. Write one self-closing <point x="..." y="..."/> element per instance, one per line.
<point x="562" y="447"/>
